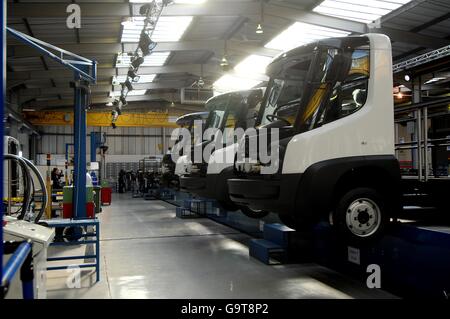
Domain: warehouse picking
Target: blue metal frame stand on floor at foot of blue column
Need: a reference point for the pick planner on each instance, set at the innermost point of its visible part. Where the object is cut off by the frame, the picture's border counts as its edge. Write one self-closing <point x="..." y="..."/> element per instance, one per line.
<point x="74" y="223"/>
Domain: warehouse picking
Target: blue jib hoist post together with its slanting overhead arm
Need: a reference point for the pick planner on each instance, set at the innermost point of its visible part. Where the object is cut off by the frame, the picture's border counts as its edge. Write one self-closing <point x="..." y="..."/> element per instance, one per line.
<point x="85" y="73"/>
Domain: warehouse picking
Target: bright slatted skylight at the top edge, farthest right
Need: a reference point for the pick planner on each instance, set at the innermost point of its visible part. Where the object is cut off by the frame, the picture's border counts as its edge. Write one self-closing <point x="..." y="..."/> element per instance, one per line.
<point x="363" y="11"/>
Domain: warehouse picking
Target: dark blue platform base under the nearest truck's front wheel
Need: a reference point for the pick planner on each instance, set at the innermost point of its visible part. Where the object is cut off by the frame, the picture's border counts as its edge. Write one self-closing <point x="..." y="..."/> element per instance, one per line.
<point x="414" y="261"/>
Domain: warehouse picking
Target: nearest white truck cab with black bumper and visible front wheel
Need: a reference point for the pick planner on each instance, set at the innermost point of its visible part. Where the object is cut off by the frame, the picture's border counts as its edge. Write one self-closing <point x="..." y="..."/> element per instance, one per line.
<point x="332" y="102"/>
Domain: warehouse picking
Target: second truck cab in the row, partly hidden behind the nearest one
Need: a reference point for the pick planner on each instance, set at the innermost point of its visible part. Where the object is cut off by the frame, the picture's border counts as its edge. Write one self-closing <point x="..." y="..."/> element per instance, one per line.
<point x="229" y="111"/>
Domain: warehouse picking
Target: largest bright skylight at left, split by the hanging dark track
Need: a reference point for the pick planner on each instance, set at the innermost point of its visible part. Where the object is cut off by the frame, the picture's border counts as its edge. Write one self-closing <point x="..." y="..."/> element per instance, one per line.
<point x="168" y="29"/>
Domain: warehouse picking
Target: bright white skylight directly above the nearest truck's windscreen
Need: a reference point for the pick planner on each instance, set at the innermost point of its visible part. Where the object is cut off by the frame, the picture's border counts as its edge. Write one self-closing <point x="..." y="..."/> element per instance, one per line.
<point x="302" y="33"/>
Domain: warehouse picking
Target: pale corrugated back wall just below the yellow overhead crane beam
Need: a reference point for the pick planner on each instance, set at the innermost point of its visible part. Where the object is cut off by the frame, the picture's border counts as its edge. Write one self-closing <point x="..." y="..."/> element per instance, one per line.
<point x="121" y="141"/>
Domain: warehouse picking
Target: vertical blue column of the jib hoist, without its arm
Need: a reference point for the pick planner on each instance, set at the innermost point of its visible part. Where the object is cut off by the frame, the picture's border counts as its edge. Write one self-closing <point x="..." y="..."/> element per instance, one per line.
<point x="79" y="191"/>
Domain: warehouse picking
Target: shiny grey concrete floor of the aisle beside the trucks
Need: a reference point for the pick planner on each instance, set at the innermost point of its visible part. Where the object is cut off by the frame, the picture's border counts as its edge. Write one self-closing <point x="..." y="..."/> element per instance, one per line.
<point x="149" y="253"/>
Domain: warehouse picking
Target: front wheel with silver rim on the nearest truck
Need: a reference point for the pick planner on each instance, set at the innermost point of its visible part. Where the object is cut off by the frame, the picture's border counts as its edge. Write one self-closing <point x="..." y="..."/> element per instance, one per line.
<point x="361" y="214"/>
